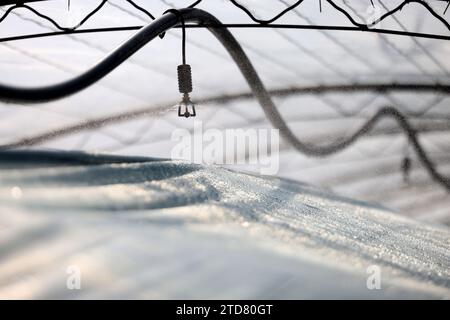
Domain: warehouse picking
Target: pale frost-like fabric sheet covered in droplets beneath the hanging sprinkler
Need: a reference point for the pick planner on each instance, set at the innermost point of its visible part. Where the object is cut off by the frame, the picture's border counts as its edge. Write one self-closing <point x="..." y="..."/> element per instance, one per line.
<point x="167" y="229"/>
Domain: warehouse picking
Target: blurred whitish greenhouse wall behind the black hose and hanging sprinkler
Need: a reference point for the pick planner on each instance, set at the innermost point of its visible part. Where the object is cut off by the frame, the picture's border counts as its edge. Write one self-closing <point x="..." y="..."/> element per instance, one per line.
<point x="129" y="111"/>
